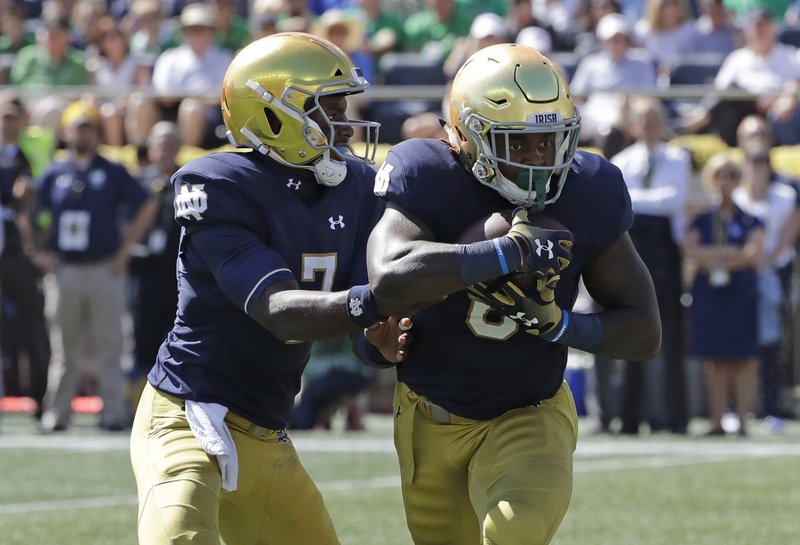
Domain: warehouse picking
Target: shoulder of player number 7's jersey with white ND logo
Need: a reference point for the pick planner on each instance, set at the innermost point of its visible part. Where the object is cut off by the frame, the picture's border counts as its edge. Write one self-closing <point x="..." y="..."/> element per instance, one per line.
<point x="210" y="189"/>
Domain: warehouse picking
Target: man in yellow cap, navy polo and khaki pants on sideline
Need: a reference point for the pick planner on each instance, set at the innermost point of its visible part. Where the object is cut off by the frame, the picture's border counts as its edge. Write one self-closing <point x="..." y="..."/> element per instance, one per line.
<point x="82" y="204"/>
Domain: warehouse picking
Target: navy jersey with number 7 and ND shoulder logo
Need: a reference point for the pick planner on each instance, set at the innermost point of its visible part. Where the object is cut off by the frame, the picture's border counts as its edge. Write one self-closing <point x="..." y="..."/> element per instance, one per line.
<point x="244" y="227"/>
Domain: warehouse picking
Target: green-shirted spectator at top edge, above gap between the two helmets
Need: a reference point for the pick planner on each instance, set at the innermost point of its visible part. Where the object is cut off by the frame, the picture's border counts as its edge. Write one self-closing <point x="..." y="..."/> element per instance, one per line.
<point x="434" y="30"/>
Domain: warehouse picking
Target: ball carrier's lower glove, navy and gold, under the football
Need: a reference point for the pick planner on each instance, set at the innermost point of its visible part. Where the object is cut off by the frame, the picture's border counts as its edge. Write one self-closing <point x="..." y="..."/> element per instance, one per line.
<point x="537" y="314"/>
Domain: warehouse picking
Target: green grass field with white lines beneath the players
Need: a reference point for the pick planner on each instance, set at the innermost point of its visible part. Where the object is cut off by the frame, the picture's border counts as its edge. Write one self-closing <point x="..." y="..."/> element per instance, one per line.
<point x="77" y="489"/>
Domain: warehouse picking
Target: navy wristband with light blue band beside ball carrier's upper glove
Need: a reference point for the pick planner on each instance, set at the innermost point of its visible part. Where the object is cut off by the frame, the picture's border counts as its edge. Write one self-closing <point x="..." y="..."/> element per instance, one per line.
<point x="487" y="259"/>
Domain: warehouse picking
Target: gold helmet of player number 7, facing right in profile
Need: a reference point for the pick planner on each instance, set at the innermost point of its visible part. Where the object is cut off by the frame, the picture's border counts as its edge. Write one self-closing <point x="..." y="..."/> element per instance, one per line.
<point x="272" y="86"/>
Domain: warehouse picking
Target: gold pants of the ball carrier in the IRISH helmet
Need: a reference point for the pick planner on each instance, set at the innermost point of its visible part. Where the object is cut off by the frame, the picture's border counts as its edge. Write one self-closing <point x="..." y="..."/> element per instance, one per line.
<point x="505" y="481"/>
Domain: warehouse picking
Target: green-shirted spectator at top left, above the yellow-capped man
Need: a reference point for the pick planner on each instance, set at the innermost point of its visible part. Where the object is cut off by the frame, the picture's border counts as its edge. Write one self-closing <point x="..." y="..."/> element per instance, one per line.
<point x="51" y="61"/>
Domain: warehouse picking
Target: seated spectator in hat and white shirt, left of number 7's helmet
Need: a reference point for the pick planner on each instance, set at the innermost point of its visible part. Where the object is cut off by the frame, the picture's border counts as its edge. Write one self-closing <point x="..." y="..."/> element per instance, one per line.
<point x="190" y="77"/>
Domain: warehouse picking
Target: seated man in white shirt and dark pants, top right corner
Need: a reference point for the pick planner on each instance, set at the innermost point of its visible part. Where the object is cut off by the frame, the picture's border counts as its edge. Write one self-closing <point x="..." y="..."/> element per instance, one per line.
<point x="765" y="68"/>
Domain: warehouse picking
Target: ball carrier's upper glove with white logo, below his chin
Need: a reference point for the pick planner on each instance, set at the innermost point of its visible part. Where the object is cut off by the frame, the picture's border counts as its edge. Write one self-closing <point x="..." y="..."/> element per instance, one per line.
<point x="545" y="252"/>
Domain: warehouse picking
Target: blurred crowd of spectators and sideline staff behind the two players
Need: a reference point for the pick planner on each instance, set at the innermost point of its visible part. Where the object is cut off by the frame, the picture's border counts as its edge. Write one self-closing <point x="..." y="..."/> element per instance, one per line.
<point x="138" y="82"/>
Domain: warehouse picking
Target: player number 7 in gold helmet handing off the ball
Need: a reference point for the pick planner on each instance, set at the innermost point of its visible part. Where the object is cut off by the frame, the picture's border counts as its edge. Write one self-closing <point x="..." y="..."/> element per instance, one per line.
<point x="271" y="256"/>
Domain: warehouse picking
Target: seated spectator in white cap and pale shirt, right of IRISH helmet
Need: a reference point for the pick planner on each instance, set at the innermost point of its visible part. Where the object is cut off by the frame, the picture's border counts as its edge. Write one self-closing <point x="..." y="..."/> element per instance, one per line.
<point x="600" y="75"/>
